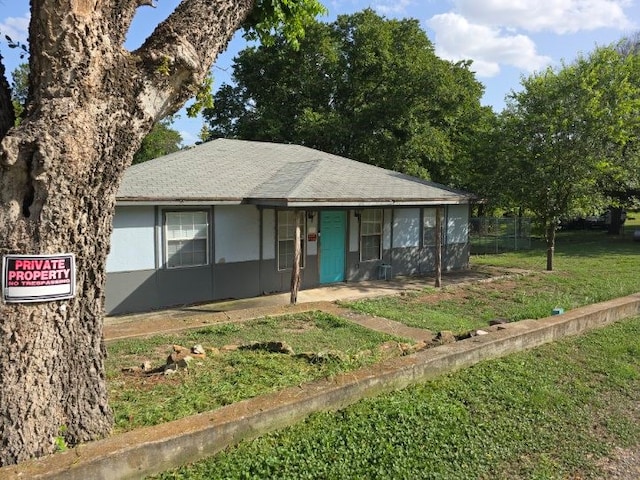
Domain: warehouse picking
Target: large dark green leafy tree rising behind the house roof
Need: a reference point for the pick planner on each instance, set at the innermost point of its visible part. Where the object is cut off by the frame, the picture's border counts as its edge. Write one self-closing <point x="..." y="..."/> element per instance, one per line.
<point x="364" y="87"/>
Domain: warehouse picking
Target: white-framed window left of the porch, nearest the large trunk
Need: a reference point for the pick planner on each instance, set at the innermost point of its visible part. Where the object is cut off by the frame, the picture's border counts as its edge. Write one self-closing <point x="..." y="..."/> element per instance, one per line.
<point x="190" y="230"/>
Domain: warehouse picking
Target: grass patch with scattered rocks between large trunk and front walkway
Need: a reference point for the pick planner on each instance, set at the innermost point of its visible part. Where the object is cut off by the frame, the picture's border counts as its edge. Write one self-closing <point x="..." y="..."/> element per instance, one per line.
<point x="224" y="378"/>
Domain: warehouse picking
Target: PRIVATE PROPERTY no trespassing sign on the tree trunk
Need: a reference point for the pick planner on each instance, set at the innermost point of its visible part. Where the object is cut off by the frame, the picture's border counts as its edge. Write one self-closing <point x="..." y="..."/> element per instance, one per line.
<point x="38" y="278"/>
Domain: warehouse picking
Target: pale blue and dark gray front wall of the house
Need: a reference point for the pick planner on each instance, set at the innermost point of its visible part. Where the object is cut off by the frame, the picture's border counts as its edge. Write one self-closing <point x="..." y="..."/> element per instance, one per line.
<point x="243" y="249"/>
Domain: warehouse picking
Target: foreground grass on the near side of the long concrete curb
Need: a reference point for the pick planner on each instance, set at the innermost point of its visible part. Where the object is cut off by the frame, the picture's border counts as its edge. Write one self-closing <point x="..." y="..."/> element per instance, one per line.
<point x="547" y="413"/>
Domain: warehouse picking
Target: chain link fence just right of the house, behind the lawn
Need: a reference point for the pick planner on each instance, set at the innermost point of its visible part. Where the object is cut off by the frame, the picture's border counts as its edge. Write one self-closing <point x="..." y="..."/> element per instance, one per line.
<point x="497" y="235"/>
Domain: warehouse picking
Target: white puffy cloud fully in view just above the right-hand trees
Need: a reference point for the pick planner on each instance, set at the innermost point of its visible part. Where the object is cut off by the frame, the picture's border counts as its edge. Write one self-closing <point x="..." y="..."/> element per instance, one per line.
<point x="457" y="39"/>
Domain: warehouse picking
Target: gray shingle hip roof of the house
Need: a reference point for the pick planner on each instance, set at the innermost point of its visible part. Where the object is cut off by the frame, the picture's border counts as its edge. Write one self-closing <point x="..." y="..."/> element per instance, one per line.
<point x="261" y="173"/>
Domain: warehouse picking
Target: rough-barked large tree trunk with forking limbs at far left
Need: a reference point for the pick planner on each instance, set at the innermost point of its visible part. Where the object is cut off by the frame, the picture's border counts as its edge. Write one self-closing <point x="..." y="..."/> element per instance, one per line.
<point x="90" y="104"/>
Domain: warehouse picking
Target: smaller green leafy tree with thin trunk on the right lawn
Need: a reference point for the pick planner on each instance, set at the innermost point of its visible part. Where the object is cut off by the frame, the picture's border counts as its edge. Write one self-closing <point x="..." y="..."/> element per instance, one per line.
<point x="568" y="136"/>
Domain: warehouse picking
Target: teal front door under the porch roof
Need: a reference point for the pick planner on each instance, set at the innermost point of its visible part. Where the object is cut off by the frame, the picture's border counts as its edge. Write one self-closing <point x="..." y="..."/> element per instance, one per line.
<point x="333" y="230"/>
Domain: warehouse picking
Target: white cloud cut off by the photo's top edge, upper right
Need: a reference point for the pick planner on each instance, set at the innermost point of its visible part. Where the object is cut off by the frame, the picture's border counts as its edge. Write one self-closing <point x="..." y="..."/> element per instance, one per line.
<point x="558" y="16"/>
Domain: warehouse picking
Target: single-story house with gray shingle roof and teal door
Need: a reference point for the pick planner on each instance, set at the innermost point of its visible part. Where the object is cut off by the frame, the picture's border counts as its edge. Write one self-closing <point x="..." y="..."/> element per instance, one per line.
<point x="217" y="221"/>
